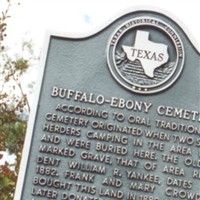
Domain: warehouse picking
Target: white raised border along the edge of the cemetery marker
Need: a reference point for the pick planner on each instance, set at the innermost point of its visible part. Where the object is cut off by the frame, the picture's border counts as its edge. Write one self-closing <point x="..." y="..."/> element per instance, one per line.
<point x="81" y="35"/>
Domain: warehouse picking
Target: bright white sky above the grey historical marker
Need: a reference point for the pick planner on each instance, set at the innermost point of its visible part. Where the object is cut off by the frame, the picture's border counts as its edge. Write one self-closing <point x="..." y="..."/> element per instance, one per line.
<point x="36" y="17"/>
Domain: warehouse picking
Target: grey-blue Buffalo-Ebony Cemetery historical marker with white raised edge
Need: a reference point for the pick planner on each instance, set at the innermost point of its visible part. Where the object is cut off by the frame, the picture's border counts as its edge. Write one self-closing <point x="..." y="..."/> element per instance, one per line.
<point x="117" y="115"/>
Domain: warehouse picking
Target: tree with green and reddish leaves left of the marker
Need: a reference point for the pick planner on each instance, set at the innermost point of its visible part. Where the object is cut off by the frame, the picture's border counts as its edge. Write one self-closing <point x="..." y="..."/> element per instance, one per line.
<point x="14" y="105"/>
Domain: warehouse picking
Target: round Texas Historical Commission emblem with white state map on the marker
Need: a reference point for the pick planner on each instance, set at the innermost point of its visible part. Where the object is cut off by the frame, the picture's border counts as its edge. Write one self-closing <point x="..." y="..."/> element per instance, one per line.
<point x="145" y="55"/>
